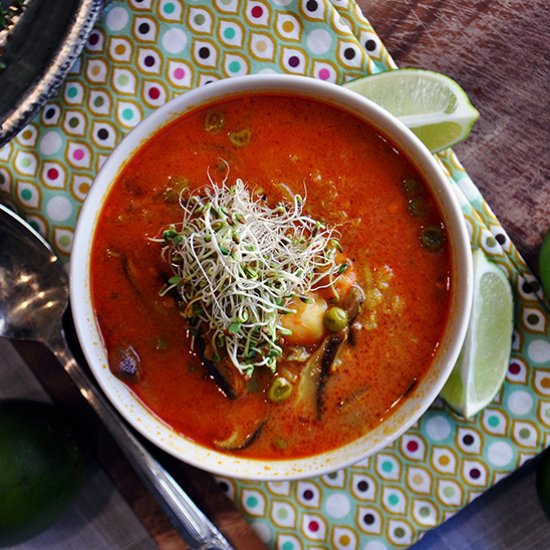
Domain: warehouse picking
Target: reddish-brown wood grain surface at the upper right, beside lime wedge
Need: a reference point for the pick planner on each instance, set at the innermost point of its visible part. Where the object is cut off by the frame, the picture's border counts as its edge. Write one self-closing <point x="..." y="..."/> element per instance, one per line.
<point x="498" y="51"/>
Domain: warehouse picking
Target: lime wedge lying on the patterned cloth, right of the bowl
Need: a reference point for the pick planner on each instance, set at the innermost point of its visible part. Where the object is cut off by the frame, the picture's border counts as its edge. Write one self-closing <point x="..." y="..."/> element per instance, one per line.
<point x="483" y="361"/>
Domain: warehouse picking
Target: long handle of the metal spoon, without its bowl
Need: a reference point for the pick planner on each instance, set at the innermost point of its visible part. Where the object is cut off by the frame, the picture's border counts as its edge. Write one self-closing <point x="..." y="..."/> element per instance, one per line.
<point x="194" y="527"/>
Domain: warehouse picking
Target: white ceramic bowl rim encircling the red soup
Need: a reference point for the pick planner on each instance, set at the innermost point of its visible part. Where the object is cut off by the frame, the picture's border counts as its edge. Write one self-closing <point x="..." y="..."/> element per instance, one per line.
<point x="423" y="394"/>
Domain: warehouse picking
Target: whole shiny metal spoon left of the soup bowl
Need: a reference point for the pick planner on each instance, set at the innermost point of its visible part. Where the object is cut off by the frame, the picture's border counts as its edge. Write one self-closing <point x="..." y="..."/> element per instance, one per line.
<point x="34" y="293"/>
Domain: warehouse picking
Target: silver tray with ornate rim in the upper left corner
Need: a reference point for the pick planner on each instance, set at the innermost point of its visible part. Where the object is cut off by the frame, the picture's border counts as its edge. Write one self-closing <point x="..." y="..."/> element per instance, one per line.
<point x="41" y="48"/>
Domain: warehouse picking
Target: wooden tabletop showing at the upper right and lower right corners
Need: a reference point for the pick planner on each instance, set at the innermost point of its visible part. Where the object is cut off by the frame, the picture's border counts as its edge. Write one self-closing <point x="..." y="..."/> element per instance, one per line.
<point x="498" y="51"/>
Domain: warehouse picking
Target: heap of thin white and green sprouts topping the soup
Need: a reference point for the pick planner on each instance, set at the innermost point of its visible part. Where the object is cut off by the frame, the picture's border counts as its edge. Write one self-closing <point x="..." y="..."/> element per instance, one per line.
<point x="235" y="279"/>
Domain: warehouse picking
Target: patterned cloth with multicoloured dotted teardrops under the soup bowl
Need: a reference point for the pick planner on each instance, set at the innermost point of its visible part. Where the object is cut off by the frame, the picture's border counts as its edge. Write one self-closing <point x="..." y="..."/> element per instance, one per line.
<point x="145" y="52"/>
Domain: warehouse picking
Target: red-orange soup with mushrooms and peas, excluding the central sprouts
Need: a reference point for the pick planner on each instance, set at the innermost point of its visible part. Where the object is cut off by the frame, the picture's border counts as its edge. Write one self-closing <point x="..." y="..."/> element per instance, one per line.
<point x="330" y="380"/>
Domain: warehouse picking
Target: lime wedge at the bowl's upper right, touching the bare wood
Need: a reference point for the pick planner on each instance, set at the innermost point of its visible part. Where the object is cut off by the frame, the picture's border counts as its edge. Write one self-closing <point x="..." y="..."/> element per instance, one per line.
<point x="432" y="105"/>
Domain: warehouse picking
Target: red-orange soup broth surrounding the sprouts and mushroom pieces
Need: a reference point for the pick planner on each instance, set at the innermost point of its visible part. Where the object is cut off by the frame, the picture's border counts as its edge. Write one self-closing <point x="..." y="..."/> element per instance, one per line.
<point x="354" y="179"/>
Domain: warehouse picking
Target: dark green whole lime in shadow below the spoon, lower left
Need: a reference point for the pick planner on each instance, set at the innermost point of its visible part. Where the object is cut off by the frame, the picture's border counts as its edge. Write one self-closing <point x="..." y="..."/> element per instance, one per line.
<point x="41" y="468"/>
